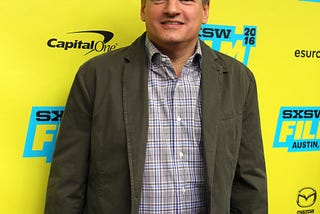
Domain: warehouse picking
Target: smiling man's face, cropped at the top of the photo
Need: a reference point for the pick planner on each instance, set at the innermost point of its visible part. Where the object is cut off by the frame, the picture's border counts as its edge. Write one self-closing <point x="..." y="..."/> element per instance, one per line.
<point x="174" y="21"/>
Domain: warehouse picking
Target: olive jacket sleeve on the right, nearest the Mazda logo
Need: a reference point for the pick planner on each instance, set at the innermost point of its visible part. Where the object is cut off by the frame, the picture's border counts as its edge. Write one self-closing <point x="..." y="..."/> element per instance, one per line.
<point x="249" y="190"/>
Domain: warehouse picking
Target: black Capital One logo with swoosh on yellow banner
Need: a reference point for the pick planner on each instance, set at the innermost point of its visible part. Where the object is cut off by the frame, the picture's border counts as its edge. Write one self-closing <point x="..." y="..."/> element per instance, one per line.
<point x="76" y="43"/>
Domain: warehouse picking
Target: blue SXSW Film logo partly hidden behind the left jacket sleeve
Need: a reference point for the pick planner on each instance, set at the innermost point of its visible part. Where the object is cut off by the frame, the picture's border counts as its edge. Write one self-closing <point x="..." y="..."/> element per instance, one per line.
<point x="42" y="132"/>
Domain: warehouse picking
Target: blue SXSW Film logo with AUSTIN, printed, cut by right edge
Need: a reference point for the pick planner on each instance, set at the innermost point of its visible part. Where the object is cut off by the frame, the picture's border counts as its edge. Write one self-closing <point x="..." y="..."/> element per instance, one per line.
<point x="298" y="129"/>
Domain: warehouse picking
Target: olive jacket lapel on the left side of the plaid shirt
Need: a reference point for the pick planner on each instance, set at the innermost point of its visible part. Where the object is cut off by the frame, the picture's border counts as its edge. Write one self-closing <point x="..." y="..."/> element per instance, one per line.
<point x="135" y="101"/>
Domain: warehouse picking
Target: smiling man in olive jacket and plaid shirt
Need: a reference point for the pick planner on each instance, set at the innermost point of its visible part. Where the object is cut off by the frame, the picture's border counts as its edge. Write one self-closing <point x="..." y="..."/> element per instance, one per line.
<point x="165" y="125"/>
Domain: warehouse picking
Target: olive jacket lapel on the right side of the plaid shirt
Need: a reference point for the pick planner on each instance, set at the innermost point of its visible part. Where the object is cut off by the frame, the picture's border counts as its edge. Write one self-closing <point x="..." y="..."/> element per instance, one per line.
<point x="211" y="90"/>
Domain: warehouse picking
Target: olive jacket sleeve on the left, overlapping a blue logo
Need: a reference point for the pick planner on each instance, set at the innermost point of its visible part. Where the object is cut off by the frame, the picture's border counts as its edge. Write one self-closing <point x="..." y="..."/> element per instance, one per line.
<point x="66" y="191"/>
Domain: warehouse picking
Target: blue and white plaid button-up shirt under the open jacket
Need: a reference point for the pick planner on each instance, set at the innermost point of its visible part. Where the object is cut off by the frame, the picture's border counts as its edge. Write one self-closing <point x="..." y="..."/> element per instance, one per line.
<point x="173" y="180"/>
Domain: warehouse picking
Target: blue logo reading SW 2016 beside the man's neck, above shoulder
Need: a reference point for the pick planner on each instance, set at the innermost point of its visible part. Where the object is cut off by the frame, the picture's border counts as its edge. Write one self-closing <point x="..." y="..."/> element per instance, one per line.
<point x="225" y="39"/>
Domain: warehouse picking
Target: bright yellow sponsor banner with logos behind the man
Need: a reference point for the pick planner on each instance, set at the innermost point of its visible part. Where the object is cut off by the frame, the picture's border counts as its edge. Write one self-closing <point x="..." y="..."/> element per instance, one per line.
<point x="44" y="43"/>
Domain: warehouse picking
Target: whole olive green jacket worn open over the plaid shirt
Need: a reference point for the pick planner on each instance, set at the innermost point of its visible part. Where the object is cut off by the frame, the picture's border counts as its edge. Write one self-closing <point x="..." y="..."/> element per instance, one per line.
<point x="99" y="157"/>
